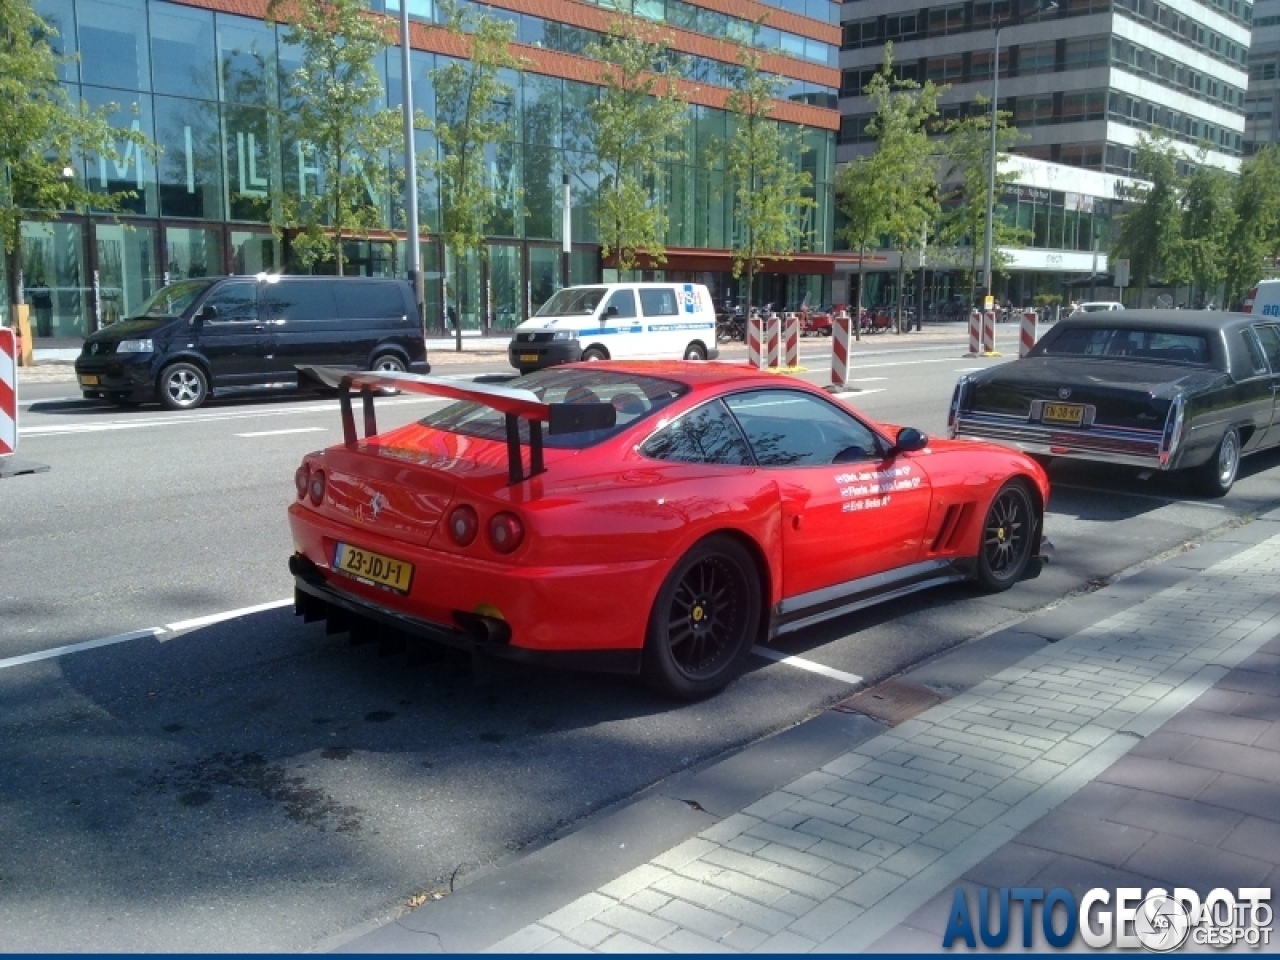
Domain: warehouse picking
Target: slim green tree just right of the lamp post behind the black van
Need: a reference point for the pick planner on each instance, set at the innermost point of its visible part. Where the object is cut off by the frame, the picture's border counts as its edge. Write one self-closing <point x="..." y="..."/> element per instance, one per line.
<point x="472" y="116"/>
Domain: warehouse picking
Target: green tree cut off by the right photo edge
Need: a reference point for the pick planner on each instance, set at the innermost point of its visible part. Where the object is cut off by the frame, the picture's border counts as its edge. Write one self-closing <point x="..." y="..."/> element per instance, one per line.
<point x="1255" y="234"/>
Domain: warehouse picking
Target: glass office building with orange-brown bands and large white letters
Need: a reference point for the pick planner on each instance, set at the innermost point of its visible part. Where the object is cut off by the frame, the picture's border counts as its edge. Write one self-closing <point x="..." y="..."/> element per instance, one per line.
<point x="203" y="80"/>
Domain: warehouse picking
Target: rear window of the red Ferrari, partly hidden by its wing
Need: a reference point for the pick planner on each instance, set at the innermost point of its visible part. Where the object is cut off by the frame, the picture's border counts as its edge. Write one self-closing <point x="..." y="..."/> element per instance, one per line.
<point x="633" y="399"/>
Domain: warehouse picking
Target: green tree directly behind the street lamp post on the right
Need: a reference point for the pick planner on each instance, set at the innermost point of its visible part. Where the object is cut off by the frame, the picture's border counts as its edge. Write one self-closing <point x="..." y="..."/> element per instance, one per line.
<point x="967" y="172"/>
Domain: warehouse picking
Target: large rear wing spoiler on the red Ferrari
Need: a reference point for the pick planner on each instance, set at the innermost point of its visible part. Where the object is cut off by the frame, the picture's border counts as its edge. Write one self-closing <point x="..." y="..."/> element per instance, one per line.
<point x="516" y="405"/>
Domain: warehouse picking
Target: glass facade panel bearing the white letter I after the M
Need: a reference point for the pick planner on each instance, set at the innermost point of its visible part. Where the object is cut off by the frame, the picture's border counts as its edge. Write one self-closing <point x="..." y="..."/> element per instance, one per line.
<point x="190" y="164"/>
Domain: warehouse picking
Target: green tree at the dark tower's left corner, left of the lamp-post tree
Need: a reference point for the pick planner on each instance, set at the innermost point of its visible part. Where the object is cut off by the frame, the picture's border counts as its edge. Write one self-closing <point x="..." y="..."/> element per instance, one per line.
<point x="908" y="193"/>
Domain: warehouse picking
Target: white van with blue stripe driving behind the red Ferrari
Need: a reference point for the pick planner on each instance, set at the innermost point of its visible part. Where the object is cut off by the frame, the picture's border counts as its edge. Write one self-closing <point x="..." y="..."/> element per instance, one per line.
<point x="619" y="322"/>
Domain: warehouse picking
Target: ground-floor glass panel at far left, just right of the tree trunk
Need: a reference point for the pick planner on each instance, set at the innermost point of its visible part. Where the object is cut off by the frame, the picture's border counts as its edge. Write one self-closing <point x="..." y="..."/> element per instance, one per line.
<point x="54" y="277"/>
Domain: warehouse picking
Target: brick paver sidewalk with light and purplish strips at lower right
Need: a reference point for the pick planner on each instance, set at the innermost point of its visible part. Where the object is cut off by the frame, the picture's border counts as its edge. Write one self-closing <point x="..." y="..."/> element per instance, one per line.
<point x="844" y="858"/>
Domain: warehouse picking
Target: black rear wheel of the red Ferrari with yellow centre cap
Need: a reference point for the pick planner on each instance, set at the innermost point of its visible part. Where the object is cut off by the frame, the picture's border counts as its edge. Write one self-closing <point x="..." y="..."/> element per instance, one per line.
<point x="705" y="621"/>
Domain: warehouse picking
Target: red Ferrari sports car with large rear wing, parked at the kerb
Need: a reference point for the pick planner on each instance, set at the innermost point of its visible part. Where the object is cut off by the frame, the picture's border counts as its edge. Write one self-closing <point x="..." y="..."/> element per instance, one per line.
<point x="656" y="519"/>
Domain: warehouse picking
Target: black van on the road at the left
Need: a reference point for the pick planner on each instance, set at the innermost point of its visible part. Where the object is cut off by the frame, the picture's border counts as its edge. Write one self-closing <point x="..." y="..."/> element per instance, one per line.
<point x="199" y="337"/>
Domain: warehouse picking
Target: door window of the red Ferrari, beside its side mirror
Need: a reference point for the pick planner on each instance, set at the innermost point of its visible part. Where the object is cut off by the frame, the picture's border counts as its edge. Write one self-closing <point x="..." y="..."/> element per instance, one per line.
<point x="788" y="428"/>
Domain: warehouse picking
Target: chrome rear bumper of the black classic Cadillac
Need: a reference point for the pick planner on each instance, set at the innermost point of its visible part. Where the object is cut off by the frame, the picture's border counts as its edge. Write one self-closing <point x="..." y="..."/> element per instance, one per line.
<point x="1108" y="445"/>
